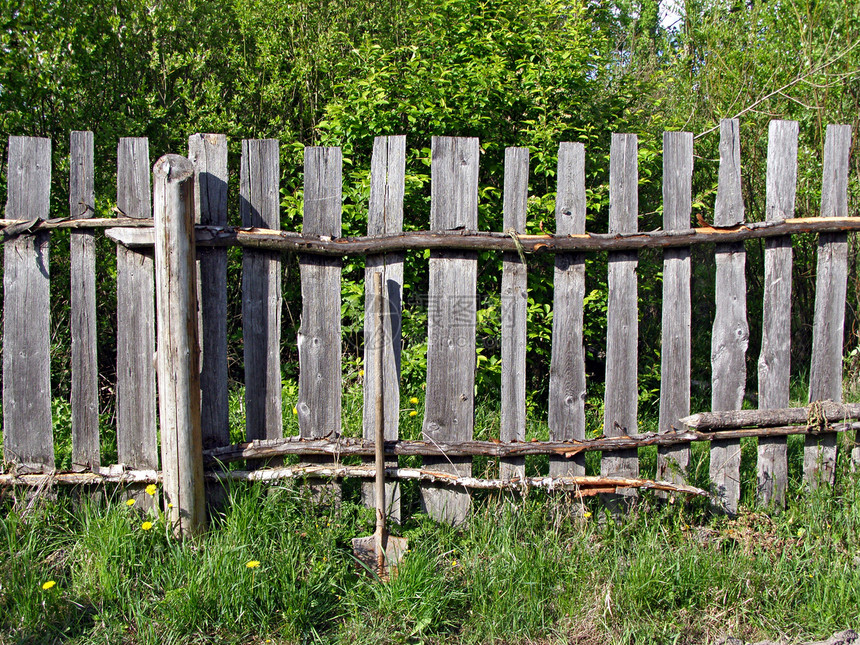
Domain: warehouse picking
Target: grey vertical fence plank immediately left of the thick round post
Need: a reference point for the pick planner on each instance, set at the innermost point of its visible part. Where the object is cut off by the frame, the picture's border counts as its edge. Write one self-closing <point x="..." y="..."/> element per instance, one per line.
<point x="137" y="439"/>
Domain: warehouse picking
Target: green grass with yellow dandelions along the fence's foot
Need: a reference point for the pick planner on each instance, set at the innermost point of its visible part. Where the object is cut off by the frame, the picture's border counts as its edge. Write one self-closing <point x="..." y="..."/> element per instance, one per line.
<point x="534" y="570"/>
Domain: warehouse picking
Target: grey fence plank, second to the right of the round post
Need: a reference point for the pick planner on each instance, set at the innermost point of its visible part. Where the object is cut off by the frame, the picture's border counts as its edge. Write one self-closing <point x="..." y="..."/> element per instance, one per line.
<point x="259" y="201"/>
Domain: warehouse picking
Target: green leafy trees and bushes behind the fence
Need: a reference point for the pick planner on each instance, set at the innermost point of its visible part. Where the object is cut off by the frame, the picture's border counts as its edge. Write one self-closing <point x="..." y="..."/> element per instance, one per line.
<point x="531" y="73"/>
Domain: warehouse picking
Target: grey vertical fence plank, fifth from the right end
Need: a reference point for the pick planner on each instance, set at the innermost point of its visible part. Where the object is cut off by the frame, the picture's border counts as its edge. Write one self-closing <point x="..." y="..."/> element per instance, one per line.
<point x="622" y="316"/>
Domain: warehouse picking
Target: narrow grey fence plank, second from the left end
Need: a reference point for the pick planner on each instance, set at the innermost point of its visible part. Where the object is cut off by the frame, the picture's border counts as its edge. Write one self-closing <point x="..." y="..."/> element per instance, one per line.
<point x="85" y="395"/>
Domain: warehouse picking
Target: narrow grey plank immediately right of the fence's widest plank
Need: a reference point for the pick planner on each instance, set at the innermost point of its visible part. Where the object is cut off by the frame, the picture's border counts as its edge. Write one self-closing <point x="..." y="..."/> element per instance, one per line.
<point x="514" y="309"/>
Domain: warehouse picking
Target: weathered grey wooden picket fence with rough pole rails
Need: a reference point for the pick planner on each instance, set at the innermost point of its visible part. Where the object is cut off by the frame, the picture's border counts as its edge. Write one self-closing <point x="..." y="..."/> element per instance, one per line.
<point x="198" y="189"/>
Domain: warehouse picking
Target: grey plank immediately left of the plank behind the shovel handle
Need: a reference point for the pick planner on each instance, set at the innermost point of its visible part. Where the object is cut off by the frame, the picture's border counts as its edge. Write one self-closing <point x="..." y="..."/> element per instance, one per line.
<point x="320" y="376"/>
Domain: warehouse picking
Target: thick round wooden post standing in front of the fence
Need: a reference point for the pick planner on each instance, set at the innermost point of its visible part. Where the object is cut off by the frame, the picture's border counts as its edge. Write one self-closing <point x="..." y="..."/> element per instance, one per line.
<point x="178" y="351"/>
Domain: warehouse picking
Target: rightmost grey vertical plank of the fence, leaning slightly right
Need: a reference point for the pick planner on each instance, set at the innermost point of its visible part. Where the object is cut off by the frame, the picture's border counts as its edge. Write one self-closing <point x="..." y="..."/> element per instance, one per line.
<point x="825" y="375"/>
